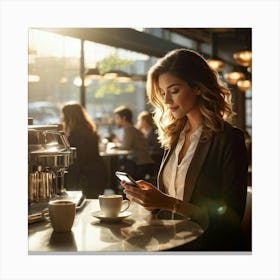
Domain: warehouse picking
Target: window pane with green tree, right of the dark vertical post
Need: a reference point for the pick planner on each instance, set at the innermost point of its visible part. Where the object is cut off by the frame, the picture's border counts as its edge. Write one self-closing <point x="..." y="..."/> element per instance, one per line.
<point x="105" y="93"/>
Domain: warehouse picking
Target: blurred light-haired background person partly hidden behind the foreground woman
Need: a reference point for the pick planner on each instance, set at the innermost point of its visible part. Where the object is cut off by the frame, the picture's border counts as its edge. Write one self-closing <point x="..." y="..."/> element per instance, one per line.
<point x="146" y="125"/>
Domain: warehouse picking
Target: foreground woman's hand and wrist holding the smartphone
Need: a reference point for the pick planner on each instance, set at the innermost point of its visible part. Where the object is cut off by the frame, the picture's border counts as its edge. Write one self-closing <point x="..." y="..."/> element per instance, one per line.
<point x="148" y="196"/>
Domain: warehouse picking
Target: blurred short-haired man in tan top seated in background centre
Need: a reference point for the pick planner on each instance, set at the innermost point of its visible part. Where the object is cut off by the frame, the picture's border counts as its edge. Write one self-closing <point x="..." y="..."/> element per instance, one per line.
<point x="141" y="163"/>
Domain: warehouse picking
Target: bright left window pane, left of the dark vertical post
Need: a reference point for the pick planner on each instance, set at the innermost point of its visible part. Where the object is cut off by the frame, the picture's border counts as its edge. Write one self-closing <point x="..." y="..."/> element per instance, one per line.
<point x="53" y="65"/>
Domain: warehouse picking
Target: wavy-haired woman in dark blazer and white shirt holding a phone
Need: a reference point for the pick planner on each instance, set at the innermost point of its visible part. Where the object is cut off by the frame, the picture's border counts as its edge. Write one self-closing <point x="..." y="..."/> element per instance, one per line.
<point x="203" y="172"/>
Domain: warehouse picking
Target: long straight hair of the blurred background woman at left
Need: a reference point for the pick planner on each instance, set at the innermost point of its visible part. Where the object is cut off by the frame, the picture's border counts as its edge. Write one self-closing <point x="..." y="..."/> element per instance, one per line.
<point x="75" y="116"/>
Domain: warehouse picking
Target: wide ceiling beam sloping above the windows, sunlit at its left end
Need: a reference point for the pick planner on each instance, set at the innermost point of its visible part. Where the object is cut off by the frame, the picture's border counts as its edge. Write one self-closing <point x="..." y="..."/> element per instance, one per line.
<point x="126" y="38"/>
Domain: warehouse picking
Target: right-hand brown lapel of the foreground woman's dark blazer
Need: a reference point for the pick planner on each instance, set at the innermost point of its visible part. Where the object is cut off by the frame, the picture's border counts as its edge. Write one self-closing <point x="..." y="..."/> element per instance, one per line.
<point x="195" y="167"/>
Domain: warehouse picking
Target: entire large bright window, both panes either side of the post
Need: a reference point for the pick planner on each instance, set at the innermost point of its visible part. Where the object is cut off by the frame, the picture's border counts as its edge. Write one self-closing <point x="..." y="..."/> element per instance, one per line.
<point x="54" y="78"/>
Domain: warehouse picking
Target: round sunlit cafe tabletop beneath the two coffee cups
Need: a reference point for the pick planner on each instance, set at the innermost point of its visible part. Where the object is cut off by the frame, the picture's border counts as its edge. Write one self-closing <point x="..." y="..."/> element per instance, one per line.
<point x="135" y="231"/>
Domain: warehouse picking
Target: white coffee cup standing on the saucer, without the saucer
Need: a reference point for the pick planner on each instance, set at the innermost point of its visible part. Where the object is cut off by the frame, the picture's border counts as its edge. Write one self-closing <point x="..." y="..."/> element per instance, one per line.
<point x="112" y="204"/>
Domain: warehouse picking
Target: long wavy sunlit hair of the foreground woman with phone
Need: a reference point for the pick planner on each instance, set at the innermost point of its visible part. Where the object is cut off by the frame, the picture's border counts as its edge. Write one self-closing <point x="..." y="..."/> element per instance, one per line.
<point x="214" y="100"/>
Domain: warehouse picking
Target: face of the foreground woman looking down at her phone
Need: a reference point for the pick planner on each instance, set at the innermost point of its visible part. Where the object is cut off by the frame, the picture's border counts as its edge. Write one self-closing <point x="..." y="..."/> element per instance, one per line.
<point x="179" y="97"/>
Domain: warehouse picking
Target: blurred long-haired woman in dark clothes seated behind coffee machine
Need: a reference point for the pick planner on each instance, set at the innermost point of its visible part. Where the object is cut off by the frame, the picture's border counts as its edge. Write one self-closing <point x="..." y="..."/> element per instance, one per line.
<point x="88" y="172"/>
